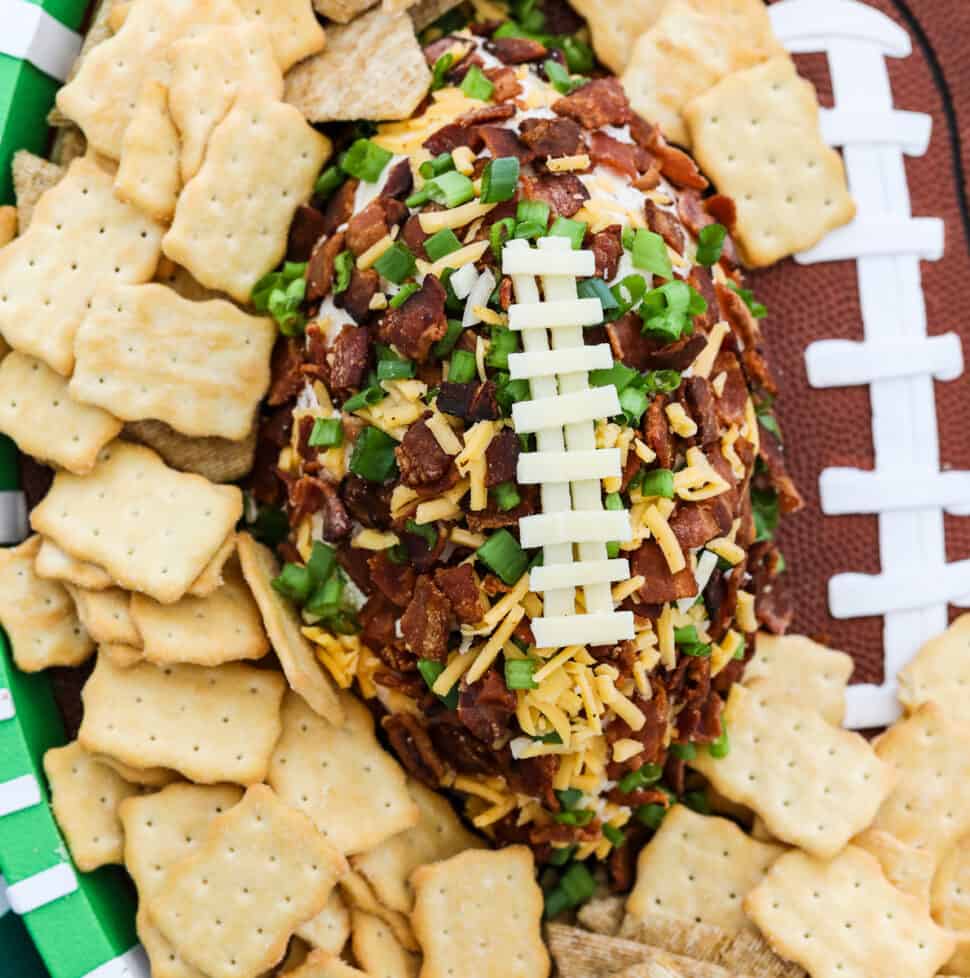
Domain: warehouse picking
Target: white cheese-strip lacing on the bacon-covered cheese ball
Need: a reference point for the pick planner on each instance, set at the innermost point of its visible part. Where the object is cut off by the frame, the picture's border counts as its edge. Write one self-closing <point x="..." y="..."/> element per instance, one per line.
<point x="573" y="528"/>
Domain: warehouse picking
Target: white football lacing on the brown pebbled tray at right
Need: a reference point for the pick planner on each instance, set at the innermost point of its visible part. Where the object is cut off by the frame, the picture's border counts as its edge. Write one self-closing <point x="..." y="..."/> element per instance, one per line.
<point x="897" y="359"/>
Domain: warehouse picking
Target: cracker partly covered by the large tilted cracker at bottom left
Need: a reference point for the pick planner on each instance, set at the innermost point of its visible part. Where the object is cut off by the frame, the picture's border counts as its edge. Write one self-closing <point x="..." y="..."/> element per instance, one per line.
<point x="160" y="829"/>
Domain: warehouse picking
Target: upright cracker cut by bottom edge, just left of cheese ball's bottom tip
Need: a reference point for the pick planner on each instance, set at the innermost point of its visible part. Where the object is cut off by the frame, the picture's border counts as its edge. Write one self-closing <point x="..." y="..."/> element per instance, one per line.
<point x="462" y="910"/>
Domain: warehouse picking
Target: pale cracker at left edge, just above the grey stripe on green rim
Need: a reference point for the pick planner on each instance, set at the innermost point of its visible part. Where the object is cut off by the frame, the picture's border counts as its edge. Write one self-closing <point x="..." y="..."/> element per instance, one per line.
<point x="38" y="412"/>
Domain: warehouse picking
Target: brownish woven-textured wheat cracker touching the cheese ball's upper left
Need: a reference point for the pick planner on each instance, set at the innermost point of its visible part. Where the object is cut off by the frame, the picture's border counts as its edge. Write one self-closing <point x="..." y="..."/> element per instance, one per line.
<point x="383" y="72"/>
